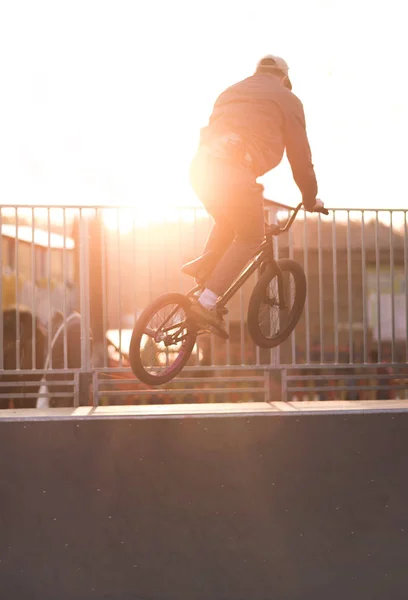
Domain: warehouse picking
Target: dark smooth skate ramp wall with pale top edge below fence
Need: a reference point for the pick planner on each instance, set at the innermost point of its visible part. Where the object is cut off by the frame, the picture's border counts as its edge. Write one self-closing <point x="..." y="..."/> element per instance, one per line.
<point x="257" y="502"/>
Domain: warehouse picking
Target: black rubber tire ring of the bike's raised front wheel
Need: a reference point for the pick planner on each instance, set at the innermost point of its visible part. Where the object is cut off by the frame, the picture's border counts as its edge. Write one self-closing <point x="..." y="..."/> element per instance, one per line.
<point x="259" y="295"/>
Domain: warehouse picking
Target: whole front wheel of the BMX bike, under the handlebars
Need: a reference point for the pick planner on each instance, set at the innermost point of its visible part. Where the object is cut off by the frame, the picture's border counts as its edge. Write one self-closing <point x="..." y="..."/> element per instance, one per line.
<point x="272" y="319"/>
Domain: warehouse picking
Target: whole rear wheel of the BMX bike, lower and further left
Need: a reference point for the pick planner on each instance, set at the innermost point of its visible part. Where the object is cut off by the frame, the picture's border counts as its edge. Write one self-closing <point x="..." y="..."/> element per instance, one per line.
<point x="162" y="340"/>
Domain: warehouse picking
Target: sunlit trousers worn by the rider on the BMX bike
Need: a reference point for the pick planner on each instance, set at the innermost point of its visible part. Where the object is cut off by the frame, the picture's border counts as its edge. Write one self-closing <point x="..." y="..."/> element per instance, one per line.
<point x="233" y="198"/>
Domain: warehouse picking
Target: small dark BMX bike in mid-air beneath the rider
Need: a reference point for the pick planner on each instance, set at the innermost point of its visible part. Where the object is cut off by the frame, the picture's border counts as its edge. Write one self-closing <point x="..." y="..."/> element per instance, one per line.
<point x="164" y="337"/>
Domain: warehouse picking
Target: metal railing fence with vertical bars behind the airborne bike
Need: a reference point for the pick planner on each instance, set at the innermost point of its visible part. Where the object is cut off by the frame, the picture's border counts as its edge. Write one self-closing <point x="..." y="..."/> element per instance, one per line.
<point x="74" y="280"/>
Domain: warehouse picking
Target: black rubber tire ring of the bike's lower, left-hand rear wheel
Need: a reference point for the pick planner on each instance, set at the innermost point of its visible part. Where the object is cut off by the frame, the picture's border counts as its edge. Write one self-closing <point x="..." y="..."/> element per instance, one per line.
<point x="139" y="330"/>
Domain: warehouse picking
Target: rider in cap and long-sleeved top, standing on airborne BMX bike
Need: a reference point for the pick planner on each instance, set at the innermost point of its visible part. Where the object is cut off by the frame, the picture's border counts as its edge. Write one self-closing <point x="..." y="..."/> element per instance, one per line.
<point x="251" y="125"/>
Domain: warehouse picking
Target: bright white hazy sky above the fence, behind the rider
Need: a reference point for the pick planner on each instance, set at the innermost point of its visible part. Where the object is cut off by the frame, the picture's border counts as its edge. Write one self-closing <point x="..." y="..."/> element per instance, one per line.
<point x="102" y="101"/>
